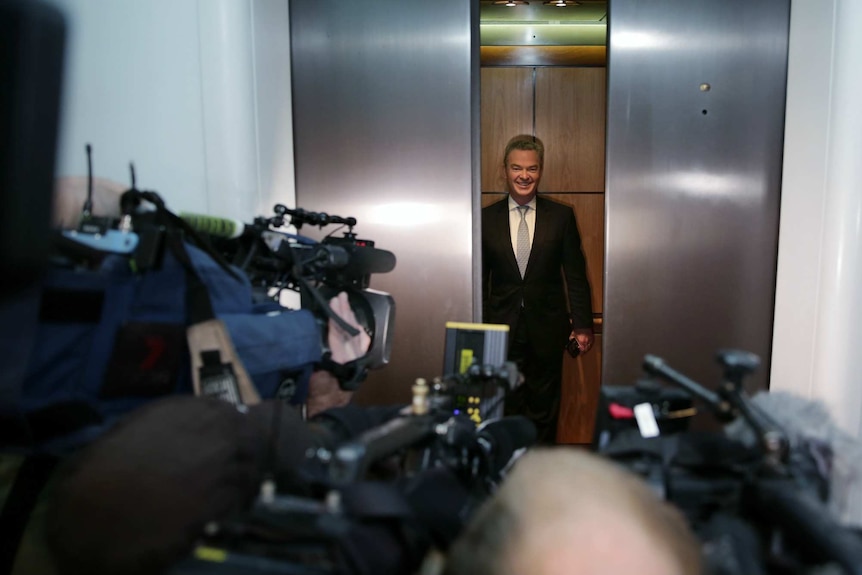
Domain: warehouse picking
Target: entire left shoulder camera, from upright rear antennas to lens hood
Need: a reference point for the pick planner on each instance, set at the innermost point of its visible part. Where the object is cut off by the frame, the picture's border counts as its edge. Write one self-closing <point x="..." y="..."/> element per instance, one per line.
<point x="271" y="259"/>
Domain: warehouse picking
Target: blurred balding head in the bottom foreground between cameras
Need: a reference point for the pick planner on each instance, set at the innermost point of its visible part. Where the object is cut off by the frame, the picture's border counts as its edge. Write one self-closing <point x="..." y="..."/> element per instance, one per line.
<point x="565" y="511"/>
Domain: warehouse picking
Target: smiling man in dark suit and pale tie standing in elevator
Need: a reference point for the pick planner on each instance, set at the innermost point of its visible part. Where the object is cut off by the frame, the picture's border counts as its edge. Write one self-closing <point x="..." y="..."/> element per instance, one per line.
<point x="527" y="292"/>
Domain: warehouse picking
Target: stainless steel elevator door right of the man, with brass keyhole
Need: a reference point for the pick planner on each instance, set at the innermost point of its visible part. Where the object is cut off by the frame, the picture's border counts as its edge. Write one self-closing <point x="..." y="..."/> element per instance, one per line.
<point x="696" y="92"/>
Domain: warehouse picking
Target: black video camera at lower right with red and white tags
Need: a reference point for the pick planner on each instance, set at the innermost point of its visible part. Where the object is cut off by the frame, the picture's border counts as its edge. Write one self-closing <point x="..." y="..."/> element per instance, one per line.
<point x="759" y="503"/>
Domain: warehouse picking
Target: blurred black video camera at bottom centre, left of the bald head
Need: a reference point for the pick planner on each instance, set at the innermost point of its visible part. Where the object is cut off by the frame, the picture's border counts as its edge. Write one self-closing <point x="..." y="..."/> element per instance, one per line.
<point x="378" y="500"/>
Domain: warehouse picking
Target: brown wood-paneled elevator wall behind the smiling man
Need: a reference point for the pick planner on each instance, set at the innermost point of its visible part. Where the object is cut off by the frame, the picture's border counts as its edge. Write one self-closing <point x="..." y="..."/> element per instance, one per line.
<point x="564" y="106"/>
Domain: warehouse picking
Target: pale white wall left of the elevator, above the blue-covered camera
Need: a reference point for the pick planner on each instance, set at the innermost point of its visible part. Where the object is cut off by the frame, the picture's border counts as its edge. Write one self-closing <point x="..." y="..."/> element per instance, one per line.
<point x="195" y="92"/>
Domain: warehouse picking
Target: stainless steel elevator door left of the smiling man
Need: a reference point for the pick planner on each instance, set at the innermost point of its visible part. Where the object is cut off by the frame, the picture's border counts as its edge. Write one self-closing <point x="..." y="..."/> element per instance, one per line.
<point x="385" y="129"/>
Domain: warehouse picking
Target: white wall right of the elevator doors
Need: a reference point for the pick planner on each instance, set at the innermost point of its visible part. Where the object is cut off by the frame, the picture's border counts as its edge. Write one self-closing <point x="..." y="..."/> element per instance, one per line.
<point x="818" y="319"/>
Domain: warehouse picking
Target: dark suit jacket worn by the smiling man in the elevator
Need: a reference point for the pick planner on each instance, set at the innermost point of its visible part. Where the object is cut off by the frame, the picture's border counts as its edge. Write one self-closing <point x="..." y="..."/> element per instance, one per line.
<point x="556" y="247"/>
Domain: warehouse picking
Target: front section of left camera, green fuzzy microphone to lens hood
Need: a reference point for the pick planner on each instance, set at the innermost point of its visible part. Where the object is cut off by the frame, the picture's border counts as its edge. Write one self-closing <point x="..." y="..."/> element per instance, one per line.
<point x="275" y="260"/>
